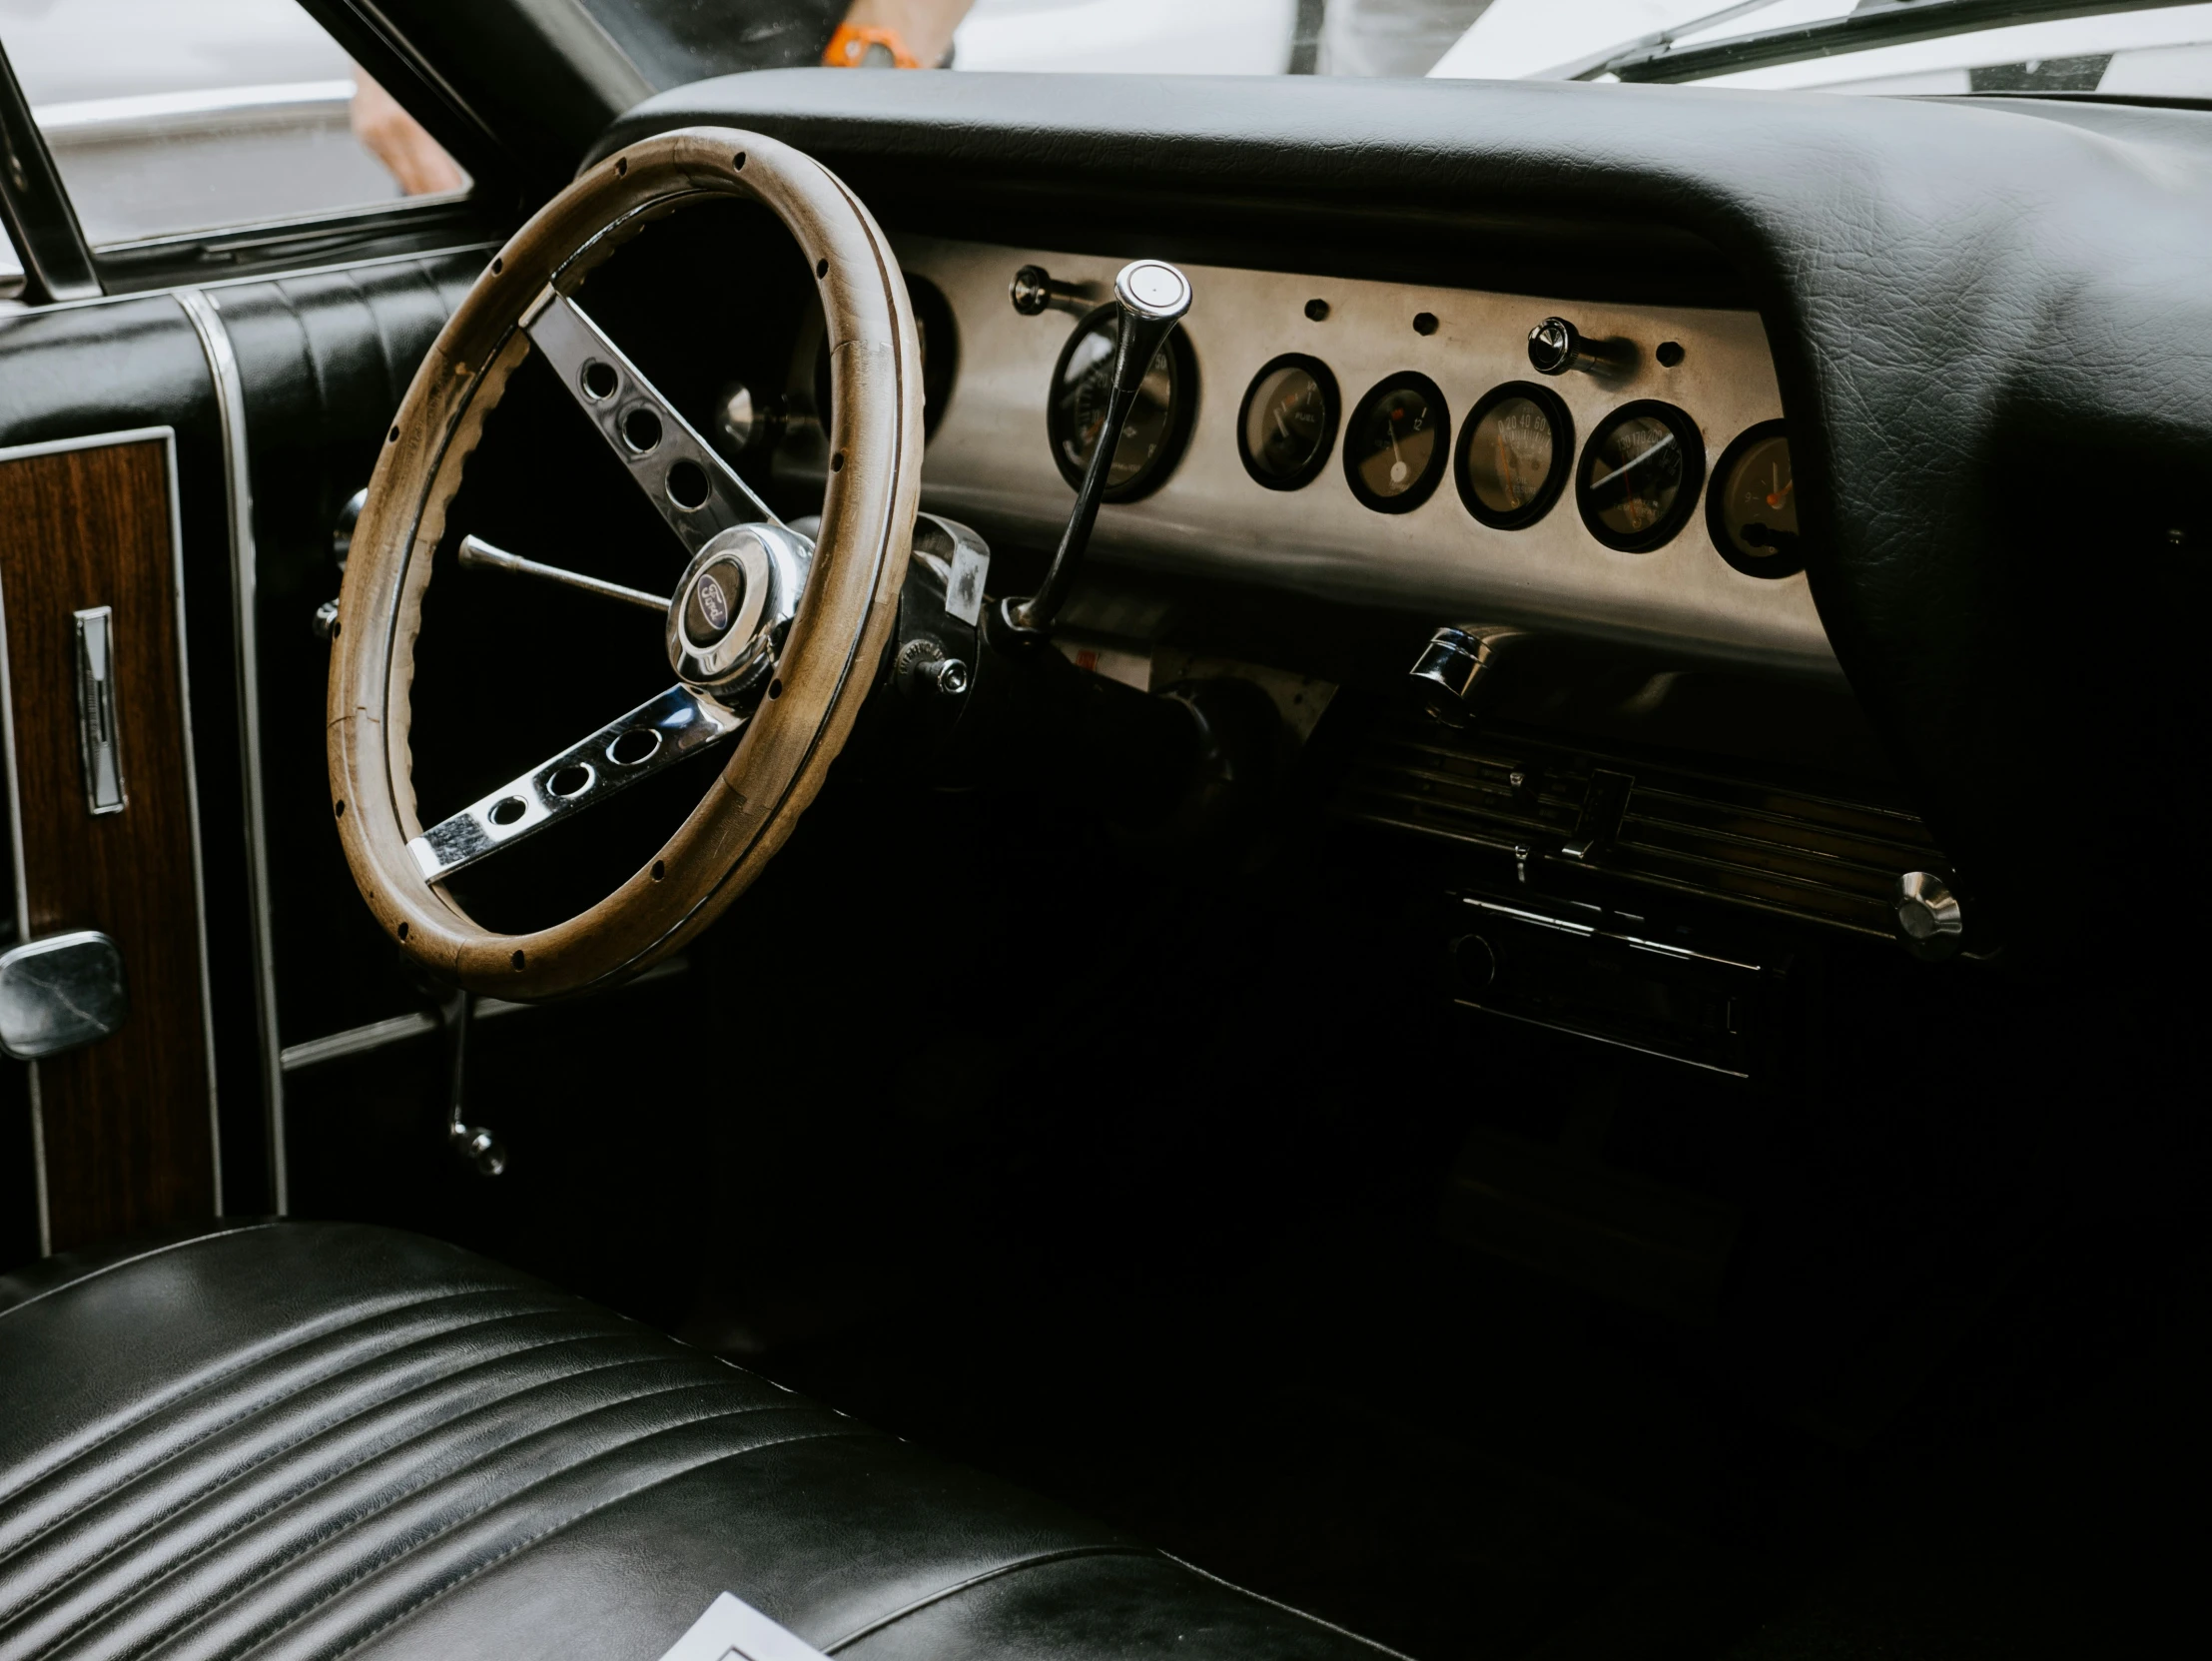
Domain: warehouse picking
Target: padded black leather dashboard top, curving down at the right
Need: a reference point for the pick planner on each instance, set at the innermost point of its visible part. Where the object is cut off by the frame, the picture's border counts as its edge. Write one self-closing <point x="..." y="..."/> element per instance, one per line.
<point x="1985" y="317"/>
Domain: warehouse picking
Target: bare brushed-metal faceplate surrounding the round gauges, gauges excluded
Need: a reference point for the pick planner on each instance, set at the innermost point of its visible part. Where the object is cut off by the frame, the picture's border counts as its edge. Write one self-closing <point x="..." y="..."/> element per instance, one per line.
<point x="990" y="459"/>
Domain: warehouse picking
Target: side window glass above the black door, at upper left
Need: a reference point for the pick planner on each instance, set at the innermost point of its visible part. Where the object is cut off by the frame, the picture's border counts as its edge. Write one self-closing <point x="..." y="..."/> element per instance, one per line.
<point x="178" y="116"/>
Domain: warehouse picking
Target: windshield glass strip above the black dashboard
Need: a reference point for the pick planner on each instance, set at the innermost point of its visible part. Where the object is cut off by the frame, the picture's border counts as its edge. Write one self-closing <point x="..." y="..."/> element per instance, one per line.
<point x="2114" y="48"/>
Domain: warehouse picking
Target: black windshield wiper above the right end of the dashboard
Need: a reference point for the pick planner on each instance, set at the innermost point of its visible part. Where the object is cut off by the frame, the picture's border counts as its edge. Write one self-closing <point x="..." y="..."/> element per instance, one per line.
<point x="1875" y="23"/>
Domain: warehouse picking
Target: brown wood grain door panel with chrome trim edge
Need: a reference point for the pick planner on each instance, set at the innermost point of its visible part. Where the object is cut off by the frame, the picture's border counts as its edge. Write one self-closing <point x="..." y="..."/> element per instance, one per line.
<point x="127" y="1127"/>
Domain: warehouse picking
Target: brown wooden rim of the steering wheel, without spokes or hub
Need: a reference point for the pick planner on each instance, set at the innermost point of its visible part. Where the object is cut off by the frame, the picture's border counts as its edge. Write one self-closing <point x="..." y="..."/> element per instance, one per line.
<point x="828" y="662"/>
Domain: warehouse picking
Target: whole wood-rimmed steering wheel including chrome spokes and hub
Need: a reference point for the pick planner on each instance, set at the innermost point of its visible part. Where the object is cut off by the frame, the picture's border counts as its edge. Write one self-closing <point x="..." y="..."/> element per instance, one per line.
<point x="773" y="640"/>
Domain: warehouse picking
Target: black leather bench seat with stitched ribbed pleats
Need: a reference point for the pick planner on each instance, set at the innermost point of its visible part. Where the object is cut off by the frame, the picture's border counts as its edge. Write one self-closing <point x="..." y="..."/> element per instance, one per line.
<point x="320" y="1441"/>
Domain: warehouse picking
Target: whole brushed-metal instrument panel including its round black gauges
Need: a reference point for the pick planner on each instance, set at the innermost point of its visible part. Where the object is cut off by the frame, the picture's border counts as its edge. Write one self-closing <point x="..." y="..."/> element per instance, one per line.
<point x="1304" y="432"/>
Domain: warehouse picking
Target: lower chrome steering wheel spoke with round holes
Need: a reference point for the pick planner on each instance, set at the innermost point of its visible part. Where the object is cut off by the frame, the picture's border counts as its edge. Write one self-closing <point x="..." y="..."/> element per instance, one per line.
<point x="651" y="738"/>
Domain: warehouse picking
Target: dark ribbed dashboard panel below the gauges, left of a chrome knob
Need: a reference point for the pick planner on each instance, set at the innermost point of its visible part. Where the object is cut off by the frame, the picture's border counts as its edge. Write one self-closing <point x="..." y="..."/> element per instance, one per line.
<point x="1651" y="822"/>
